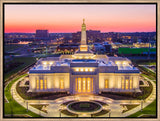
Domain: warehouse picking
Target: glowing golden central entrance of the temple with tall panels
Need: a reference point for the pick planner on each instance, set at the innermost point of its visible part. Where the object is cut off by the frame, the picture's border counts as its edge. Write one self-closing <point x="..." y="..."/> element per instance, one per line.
<point x="84" y="85"/>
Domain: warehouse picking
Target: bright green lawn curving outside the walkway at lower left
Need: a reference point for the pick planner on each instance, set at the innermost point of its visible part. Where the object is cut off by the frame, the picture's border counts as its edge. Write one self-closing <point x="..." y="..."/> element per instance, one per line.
<point x="13" y="107"/>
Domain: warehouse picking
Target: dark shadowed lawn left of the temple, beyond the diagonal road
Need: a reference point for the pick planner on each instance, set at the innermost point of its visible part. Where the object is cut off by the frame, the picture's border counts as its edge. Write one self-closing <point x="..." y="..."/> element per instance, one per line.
<point x="25" y="60"/>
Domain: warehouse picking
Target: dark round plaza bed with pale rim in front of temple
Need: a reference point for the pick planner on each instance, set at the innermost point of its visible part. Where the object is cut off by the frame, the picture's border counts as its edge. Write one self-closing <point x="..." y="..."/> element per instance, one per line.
<point x="87" y="107"/>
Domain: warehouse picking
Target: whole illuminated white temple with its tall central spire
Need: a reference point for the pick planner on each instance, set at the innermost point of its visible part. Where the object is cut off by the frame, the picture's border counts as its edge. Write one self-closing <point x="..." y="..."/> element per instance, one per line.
<point x="84" y="73"/>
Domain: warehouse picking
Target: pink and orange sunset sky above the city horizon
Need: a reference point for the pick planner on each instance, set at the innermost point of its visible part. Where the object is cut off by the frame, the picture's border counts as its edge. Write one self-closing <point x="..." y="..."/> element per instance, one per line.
<point x="57" y="18"/>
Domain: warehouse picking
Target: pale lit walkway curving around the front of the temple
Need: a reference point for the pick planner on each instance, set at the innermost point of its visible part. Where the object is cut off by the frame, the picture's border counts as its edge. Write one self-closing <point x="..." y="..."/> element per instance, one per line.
<point x="54" y="105"/>
